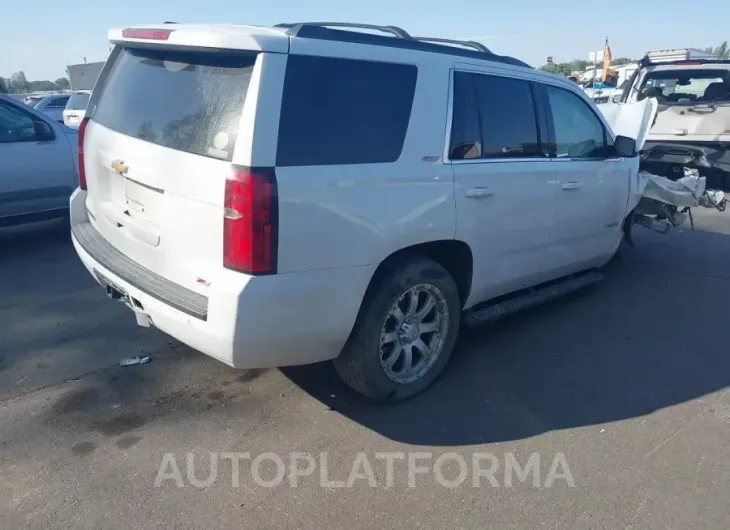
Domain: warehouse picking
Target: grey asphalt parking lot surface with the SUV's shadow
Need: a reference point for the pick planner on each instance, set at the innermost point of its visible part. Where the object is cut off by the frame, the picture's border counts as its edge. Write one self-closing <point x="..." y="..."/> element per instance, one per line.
<point x="627" y="381"/>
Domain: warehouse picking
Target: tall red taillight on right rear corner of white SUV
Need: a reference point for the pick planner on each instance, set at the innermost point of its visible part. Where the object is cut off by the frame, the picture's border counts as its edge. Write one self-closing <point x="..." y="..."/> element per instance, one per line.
<point x="250" y="221"/>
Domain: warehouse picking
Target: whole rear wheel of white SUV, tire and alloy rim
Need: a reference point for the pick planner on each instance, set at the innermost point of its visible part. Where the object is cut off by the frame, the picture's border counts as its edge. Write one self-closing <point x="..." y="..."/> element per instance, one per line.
<point x="405" y="332"/>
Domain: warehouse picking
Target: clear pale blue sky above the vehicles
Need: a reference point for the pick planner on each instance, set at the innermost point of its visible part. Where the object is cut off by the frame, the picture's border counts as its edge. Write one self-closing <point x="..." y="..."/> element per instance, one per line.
<point x="43" y="40"/>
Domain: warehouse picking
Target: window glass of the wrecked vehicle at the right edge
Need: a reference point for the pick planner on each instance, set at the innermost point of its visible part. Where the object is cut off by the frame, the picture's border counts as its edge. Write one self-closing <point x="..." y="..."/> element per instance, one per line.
<point x="677" y="87"/>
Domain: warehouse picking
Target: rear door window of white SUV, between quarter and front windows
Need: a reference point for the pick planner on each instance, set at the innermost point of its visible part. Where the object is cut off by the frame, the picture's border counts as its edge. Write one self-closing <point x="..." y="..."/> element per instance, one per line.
<point x="493" y="117"/>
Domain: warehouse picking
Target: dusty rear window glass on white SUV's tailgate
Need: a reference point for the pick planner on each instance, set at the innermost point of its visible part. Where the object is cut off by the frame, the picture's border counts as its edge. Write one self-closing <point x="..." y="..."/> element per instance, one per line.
<point x="189" y="101"/>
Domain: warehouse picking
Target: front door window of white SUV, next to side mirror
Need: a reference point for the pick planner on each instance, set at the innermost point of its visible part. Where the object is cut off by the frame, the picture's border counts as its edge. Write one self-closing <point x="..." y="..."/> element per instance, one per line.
<point x="578" y="131"/>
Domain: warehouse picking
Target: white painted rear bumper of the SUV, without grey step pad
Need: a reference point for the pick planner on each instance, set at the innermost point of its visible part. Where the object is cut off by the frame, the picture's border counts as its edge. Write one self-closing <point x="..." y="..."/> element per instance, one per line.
<point x="269" y="321"/>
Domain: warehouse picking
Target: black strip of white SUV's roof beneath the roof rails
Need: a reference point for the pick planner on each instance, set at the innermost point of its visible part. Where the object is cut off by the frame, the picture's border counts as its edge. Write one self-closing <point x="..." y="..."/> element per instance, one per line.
<point x="312" y="31"/>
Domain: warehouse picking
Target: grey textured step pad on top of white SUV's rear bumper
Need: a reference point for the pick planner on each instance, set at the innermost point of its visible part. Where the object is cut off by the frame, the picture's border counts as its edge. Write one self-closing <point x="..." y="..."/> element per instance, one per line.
<point x="172" y="294"/>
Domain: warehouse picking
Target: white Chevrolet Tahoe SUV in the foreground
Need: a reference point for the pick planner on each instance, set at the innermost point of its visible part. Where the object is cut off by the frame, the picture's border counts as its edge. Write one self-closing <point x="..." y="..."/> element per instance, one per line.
<point x="286" y="195"/>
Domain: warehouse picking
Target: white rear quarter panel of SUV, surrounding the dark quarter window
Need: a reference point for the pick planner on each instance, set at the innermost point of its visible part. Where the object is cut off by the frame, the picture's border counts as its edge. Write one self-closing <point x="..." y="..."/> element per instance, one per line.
<point x="356" y="215"/>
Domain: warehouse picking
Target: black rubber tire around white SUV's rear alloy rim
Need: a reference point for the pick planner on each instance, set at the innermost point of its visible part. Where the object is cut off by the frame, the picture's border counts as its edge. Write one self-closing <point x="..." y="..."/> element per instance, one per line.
<point x="359" y="364"/>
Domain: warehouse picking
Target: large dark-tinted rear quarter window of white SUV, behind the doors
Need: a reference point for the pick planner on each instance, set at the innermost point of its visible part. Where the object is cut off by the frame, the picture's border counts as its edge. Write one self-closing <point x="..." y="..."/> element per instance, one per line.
<point x="344" y="111"/>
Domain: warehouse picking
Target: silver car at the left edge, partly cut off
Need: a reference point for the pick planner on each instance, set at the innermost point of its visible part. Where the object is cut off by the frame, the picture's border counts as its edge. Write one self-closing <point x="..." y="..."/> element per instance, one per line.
<point x="38" y="164"/>
